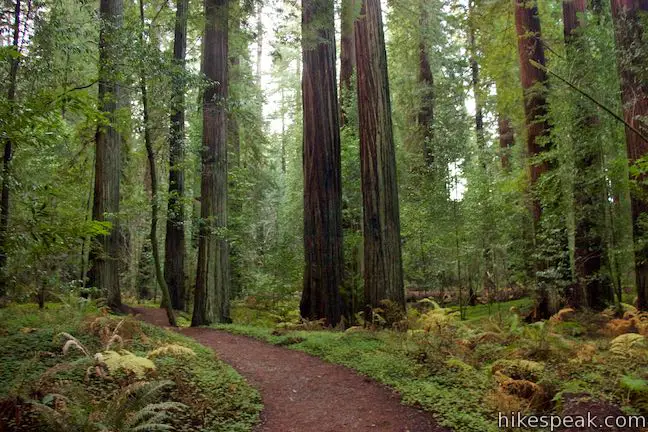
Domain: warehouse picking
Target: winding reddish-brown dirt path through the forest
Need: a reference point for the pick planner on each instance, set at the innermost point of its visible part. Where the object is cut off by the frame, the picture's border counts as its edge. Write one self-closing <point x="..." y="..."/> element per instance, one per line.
<point x="302" y="393"/>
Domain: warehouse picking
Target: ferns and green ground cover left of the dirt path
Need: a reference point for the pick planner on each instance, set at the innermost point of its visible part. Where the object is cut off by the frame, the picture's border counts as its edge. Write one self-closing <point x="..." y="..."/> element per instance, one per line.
<point x="72" y="367"/>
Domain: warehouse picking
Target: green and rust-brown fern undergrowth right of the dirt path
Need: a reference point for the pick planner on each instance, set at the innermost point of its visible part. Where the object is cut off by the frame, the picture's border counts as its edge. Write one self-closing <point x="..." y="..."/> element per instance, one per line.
<point x="465" y="372"/>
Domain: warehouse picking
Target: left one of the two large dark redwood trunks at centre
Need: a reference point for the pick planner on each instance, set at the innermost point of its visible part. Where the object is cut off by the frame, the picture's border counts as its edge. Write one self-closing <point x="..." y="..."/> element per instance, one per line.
<point x="323" y="255"/>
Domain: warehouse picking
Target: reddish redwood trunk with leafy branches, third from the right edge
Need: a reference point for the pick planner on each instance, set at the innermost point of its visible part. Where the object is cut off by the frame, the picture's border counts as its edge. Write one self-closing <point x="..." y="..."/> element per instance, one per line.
<point x="533" y="79"/>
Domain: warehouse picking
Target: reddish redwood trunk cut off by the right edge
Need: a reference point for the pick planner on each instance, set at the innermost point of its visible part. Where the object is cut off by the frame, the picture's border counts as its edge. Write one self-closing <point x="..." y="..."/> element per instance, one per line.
<point x="632" y="60"/>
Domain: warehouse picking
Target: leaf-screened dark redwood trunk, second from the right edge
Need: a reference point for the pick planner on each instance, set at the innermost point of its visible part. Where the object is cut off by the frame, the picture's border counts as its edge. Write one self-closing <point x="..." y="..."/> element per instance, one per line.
<point x="589" y="186"/>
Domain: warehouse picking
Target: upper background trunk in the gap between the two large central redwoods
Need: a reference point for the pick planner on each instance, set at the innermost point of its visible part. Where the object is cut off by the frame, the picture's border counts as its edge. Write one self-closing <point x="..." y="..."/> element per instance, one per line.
<point x="347" y="54"/>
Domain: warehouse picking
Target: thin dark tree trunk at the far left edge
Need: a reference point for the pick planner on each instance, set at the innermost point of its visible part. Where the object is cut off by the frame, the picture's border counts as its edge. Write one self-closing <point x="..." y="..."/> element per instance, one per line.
<point x="14" y="62"/>
